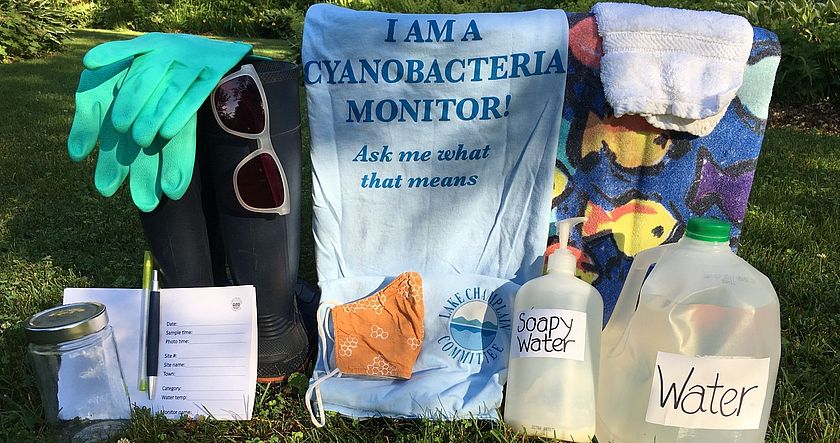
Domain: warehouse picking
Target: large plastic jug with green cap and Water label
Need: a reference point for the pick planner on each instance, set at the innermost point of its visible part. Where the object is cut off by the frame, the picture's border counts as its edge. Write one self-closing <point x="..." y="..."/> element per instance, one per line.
<point x="692" y="351"/>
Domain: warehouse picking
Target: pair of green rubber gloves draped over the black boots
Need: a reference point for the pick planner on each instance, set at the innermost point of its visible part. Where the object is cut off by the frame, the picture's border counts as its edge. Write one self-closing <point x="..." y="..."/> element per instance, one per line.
<point x="139" y="99"/>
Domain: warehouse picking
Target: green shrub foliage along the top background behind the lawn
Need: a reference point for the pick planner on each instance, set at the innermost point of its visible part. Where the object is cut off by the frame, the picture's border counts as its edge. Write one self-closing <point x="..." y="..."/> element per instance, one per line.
<point x="809" y="30"/>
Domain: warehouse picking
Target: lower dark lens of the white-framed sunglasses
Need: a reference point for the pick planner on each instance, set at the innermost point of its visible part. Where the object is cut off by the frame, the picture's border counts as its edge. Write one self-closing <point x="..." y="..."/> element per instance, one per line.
<point x="260" y="183"/>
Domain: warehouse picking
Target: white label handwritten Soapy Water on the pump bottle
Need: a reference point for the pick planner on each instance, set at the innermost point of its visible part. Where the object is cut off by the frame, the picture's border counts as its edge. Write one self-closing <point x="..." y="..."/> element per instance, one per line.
<point x="553" y="333"/>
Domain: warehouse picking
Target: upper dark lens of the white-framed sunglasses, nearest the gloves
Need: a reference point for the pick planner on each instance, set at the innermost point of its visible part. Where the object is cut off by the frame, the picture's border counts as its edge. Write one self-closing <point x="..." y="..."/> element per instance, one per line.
<point x="239" y="105"/>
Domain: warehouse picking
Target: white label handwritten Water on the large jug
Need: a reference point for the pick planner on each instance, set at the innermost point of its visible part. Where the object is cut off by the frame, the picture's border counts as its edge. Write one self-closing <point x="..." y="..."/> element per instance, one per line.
<point x="708" y="392"/>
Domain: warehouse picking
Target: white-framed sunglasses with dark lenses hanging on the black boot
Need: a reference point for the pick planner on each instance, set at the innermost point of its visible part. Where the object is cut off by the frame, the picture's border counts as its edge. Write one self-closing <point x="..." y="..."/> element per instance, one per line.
<point x="241" y="109"/>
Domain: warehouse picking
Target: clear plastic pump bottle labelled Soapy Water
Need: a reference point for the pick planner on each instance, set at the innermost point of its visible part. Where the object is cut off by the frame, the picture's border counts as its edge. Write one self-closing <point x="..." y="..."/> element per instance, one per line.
<point x="554" y="353"/>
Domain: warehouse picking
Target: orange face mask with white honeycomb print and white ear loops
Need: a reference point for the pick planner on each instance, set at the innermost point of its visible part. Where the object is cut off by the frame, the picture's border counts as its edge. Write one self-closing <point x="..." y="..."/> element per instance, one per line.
<point x="376" y="336"/>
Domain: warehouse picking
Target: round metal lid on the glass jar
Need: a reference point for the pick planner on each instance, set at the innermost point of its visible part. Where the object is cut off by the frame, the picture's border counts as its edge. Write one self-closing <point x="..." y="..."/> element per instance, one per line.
<point x="66" y="322"/>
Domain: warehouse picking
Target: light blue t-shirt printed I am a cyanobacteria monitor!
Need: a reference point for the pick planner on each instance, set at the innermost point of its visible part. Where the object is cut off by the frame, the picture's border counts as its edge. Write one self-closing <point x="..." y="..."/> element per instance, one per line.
<point x="433" y="144"/>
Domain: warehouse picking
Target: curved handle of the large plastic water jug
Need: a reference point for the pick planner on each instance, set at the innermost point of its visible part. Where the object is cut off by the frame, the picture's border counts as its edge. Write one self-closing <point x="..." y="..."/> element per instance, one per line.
<point x="628" y="299"/>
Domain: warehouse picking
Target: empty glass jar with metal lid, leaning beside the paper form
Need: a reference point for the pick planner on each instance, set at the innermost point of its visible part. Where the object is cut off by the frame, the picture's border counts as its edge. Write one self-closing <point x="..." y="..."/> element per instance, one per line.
<point x="75" y="357"/>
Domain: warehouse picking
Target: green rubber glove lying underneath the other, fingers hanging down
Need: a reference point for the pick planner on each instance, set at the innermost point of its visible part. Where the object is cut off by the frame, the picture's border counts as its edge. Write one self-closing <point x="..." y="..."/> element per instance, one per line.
<point x="165" y="166"/>
